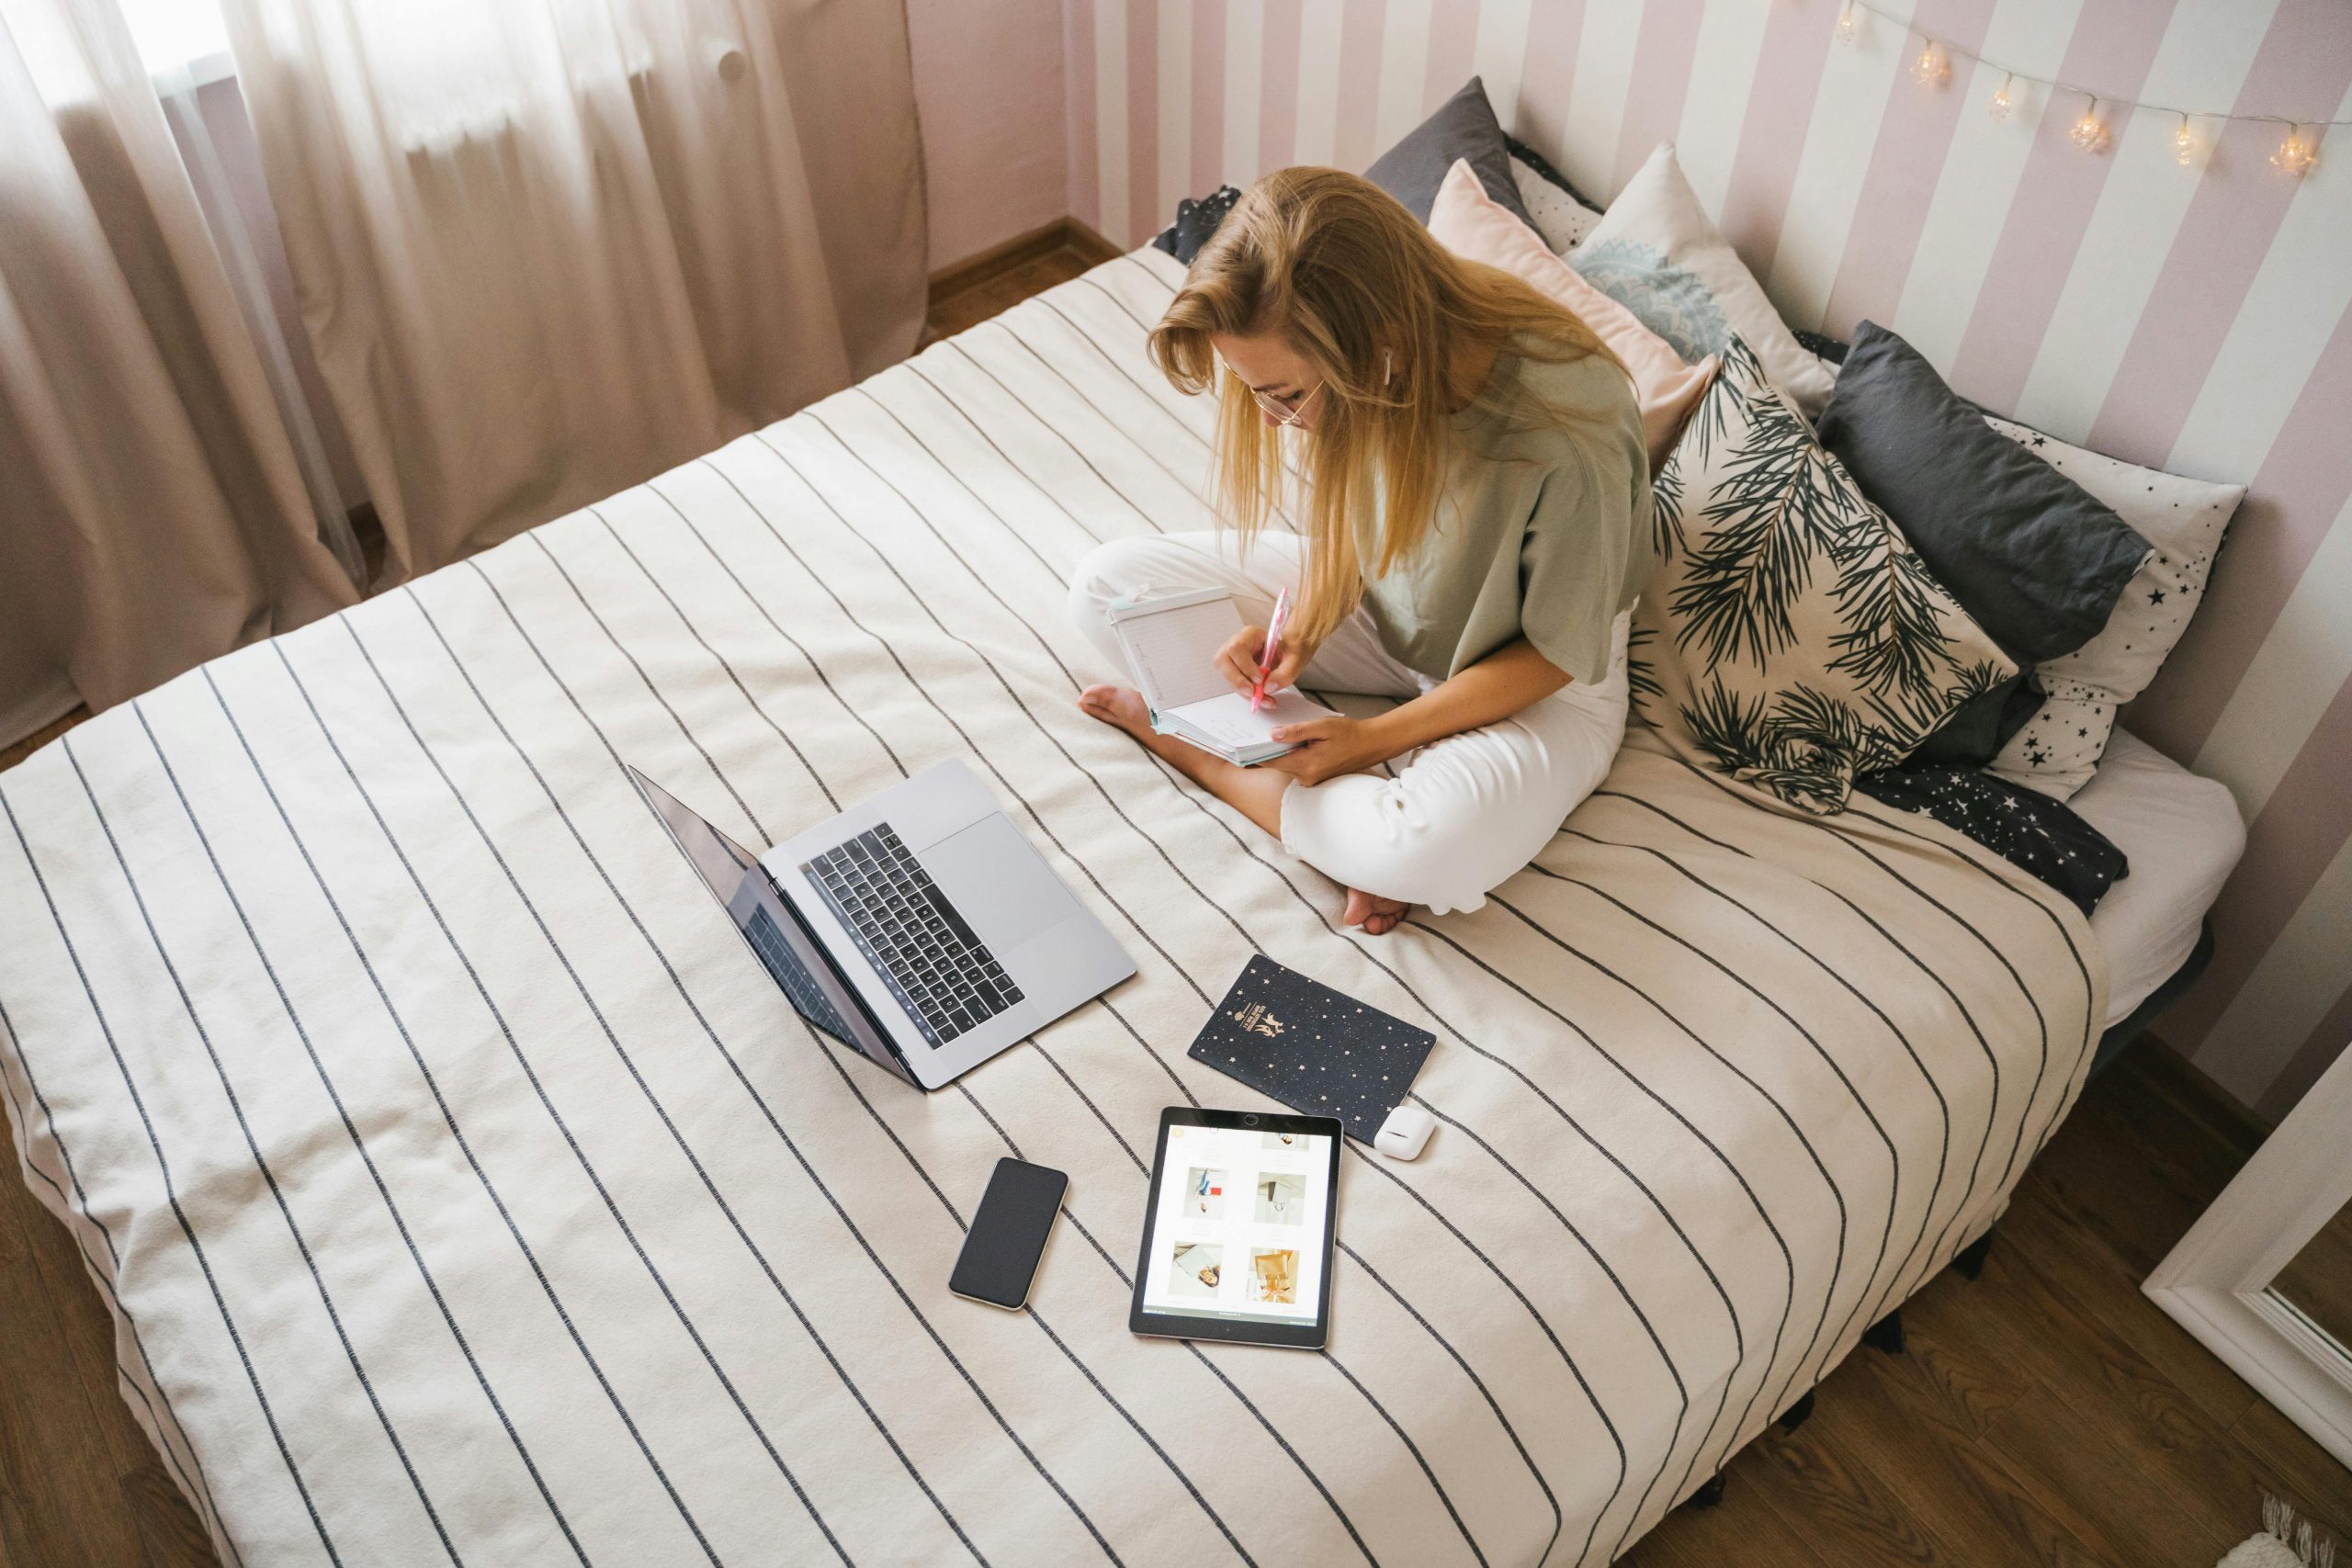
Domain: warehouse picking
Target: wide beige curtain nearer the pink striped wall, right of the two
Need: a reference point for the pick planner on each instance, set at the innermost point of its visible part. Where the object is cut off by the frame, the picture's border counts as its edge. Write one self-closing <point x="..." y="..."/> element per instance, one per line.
<point x="552" y="248"/>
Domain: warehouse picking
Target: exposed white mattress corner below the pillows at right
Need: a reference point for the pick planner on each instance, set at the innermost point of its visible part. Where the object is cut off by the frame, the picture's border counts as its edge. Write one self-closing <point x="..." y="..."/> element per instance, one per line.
<point x="2181" y="836"/>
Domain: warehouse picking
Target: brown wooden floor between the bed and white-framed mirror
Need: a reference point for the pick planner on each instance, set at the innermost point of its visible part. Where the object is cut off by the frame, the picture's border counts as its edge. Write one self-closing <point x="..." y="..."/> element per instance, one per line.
<point x="2047" y="1412"/>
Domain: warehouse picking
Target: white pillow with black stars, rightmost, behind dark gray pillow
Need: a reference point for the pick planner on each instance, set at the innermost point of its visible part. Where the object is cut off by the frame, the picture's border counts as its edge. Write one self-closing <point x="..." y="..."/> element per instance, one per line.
<point x="2184" y="521"/>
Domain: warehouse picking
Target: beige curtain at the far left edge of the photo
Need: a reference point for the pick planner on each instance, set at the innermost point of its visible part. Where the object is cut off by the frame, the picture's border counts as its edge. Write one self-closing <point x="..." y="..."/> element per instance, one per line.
<point x="152" y="511"/>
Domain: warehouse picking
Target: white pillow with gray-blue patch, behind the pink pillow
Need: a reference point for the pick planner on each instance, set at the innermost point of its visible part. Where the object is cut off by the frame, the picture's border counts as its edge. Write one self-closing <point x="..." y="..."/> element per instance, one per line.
<point x="1662" y="257"/>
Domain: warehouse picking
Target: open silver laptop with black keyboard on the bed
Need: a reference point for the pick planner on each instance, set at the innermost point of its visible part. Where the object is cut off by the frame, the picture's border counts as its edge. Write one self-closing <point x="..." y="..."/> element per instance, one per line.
<point x="918" y="927"/>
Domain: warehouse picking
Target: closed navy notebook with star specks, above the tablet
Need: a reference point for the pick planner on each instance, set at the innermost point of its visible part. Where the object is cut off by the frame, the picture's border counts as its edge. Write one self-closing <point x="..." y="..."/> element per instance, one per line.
<point x="1311" y="1047"/>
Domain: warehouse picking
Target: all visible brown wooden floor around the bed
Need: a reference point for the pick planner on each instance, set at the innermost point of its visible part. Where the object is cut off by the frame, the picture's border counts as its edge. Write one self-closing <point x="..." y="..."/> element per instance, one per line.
<point x="2043" y="1414"/>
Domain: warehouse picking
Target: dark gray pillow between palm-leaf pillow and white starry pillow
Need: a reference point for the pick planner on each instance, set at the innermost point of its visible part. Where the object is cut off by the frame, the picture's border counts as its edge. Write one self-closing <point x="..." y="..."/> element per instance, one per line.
<point x="2026" y="551"/>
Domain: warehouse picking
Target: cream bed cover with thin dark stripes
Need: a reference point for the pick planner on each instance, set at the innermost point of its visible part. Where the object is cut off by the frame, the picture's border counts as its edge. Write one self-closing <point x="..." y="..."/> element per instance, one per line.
<point x="465" y="1191"/>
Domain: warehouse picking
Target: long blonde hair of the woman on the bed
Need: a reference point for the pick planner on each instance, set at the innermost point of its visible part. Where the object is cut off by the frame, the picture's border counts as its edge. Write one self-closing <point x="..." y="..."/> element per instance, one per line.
<point x="1347" y="276"/>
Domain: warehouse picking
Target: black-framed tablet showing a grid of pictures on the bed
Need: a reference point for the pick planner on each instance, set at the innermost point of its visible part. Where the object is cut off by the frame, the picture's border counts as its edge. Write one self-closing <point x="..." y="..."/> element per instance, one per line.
<point x="1238" y="1228"/>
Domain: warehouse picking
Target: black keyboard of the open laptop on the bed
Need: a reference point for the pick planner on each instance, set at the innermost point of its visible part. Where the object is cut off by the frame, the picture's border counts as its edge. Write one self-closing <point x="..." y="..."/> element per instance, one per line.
<point x="937" y="965"/>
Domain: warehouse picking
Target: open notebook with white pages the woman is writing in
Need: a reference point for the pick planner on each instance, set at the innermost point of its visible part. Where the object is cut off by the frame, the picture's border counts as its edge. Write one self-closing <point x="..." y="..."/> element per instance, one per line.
<point x="1172" y="648"/>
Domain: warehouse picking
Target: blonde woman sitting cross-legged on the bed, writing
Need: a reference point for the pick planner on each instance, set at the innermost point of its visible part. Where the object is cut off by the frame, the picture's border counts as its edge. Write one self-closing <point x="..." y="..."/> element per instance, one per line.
<point x="1474" y="530"/>
